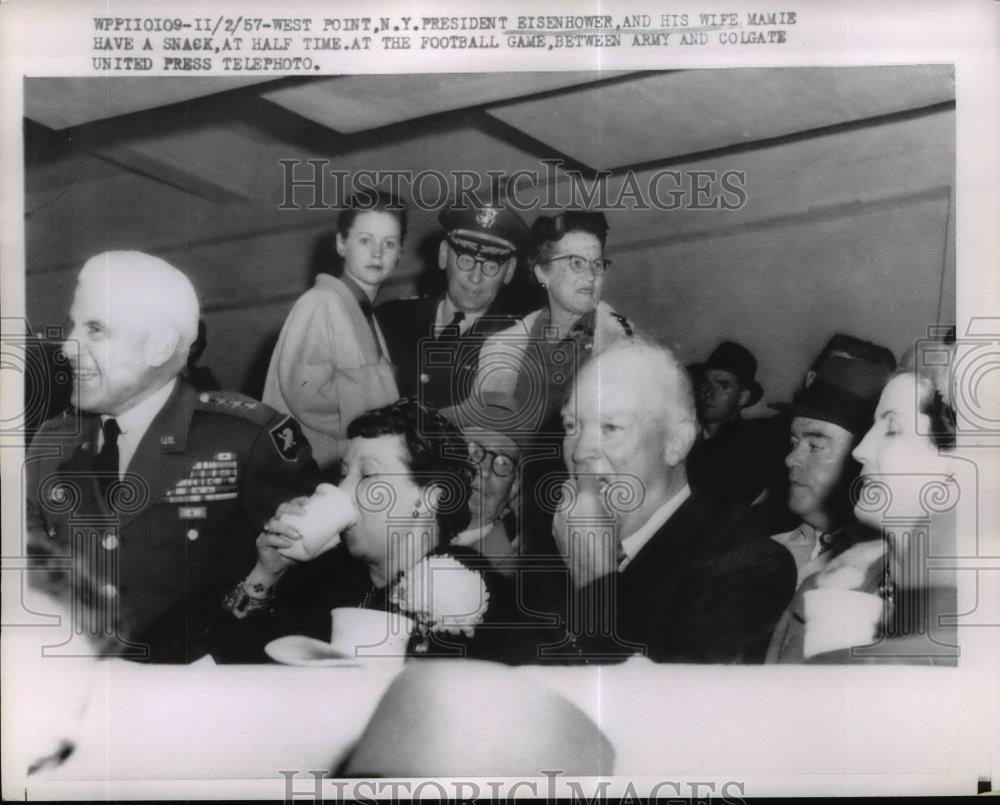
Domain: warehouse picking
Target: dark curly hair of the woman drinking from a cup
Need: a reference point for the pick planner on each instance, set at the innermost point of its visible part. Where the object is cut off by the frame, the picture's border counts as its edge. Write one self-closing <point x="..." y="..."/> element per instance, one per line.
<point x="438" y="455"/>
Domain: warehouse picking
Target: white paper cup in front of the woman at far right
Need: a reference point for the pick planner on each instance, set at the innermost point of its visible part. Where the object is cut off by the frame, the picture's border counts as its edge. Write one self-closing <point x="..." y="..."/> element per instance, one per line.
<point x="838" y="619"/>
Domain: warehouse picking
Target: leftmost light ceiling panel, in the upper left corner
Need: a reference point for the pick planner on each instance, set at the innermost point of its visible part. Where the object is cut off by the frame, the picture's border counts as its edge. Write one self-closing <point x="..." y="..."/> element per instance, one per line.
<point x="63" y="102"/>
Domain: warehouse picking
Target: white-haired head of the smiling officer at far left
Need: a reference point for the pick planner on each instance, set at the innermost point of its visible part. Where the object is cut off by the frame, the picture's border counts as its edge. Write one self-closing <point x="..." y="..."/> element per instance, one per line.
<point x="134" y="318"/>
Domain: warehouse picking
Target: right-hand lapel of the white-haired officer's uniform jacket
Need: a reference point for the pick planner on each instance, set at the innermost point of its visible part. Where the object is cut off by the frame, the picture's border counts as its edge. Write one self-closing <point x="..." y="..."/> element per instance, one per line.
<point x="161" y="457"/>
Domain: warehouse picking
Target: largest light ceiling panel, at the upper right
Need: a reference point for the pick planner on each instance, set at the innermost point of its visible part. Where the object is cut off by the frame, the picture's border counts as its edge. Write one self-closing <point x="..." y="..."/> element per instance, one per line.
<point x="667" y="115"/>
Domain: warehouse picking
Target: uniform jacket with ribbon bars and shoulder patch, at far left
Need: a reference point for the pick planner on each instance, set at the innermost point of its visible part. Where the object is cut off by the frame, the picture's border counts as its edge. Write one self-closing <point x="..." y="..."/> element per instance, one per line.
<point x="179" y="532"/>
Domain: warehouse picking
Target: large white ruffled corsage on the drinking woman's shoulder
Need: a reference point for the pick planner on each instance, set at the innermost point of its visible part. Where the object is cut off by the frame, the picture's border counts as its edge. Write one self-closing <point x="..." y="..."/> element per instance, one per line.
<point x="442" y="596"/>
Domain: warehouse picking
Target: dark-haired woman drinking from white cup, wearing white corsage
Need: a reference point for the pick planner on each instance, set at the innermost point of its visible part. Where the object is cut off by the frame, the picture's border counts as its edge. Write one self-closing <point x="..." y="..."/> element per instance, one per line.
<point x="403" y="496"/>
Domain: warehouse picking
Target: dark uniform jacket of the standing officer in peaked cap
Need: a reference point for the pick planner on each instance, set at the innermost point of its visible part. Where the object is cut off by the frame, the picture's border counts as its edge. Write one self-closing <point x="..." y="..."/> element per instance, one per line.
<point x="436" y="368"/>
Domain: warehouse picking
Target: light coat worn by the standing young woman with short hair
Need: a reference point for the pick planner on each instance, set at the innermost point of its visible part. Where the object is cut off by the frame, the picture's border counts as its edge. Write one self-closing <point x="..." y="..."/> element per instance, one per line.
<point x="325" y="370"/>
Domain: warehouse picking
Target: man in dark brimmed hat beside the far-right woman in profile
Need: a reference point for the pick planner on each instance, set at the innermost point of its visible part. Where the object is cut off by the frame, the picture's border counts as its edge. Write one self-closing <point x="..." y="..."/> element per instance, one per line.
<point x="829" y="416"/>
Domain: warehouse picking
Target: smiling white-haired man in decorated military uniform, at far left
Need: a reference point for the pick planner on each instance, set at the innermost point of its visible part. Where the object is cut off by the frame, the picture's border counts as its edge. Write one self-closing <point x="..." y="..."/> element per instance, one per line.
<point x="144" y="500"/>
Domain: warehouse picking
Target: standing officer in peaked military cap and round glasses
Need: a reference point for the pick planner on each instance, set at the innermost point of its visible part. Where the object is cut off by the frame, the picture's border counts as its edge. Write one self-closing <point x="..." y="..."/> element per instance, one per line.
<point x="435" y="341"/>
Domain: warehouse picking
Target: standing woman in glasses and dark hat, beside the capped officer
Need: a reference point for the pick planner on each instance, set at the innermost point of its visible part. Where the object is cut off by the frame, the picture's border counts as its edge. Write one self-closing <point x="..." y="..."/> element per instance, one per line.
<point x="534" y="361"/>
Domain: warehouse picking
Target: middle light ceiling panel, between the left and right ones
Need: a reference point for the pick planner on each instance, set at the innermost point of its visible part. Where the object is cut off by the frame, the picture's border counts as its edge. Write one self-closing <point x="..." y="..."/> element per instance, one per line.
<point x="357" y="103"/>
